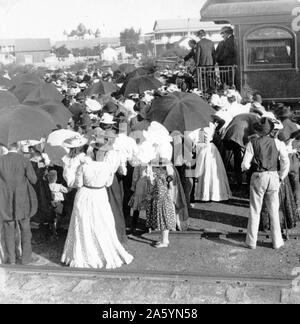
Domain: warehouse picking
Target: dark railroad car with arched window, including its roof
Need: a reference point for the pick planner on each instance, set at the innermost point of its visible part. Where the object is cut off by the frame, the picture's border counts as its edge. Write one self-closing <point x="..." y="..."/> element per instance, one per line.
<point x="267" y="34"/>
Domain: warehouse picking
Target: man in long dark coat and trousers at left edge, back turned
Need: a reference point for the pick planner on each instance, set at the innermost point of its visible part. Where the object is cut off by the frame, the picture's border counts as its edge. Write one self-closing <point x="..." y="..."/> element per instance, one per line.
<point x="18" y="202"/>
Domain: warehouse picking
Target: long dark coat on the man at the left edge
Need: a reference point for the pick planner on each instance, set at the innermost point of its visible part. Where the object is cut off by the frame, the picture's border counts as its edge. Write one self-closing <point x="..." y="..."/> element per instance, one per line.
<point x="17" y="196"/>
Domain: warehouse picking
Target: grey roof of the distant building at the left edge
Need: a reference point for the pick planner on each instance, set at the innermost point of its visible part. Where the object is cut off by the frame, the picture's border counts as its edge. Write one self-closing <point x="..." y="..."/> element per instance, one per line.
<point x="28" y="44"/>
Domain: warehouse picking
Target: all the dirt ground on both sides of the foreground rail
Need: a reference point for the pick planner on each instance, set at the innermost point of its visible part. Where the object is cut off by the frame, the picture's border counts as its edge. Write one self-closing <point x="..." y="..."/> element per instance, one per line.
<point x="186" y="254"/>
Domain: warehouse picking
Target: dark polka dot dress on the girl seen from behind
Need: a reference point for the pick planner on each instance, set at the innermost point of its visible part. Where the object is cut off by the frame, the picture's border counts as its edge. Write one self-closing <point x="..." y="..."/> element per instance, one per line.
<point x="160" y="210"/>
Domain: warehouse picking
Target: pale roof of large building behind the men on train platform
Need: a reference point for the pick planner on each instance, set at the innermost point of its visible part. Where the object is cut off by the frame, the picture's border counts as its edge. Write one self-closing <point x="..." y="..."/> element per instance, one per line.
<point x="178" y="25"/>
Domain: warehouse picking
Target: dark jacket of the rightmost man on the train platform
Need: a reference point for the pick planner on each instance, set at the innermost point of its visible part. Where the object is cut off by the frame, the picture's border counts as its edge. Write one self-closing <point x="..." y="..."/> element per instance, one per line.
<point x="226" y="53"/>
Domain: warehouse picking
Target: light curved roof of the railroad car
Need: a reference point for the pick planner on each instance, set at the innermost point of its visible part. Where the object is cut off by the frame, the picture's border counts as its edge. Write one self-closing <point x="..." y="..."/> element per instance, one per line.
<point x="247" y="11"/>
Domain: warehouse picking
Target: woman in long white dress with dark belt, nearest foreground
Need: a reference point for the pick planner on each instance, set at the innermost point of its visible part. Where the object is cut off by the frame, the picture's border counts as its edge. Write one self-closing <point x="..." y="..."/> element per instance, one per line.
<point x="92" y="240"/>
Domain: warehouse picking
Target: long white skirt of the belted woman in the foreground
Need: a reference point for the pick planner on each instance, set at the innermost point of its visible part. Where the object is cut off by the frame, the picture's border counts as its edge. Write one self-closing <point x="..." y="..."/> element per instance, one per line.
<point x="92" y="240"/>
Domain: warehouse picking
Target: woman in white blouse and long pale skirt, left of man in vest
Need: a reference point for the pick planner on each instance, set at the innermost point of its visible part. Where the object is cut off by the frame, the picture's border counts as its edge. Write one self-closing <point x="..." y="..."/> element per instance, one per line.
<point x="212" y="182"/>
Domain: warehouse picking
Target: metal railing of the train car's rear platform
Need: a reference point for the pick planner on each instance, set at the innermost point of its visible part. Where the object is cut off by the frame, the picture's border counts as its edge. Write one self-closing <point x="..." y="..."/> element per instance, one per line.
<point x="213" y="77"/>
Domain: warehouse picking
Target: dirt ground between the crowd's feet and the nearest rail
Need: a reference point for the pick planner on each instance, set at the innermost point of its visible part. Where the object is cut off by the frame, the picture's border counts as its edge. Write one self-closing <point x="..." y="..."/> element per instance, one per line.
<point x="190" y="253"/>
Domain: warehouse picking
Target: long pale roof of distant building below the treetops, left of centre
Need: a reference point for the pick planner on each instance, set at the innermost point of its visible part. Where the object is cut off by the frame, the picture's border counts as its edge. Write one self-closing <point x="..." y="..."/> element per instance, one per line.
<point x="88" y="43"/>
